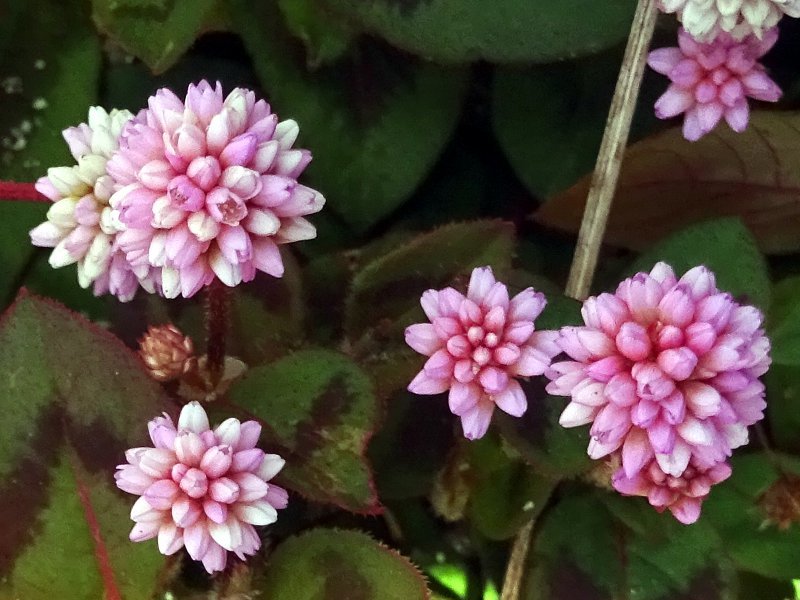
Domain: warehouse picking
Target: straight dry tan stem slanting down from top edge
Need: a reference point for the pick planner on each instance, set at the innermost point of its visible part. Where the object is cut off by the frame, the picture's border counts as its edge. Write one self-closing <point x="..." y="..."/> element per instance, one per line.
<point x="609" y="159"/>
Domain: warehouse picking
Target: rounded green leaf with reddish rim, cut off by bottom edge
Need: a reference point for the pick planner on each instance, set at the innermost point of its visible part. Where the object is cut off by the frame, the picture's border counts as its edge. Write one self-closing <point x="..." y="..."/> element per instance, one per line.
<point x="341" y="565"/>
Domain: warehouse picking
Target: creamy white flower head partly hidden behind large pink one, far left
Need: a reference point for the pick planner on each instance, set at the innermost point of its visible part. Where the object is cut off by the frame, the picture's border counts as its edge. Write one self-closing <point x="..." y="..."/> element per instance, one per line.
<point x="81" y="227"/>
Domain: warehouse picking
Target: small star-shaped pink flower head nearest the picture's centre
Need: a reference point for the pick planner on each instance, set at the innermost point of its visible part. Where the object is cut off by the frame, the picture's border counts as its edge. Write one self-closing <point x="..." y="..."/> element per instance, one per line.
<point x="477" y="345"/>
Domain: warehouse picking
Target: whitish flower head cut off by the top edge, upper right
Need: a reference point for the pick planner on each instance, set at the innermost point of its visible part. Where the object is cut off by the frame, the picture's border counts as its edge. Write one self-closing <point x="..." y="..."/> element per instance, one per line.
<point x="705" y="20"/>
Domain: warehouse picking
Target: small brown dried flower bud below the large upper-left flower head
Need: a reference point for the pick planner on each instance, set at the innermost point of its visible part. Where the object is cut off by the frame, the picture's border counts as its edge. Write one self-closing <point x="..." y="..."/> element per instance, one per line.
<point x="166" y="352"/>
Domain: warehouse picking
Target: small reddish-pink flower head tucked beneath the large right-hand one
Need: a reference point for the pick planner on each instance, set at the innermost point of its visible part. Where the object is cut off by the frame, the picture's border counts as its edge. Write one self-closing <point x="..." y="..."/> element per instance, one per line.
<point x="682" y="495"/>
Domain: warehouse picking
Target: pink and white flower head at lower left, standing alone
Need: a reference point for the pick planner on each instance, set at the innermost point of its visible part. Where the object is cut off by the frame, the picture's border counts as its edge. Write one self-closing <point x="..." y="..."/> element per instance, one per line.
<point x="201" y="488"/>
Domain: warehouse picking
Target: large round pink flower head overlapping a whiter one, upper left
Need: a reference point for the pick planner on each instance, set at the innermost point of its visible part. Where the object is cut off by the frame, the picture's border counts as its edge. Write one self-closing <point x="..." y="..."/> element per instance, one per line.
<point x="209" y="188"/>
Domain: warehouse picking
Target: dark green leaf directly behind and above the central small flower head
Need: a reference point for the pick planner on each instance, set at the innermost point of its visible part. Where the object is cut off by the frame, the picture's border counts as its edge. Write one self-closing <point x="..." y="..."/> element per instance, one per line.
<point x="388" y="288"/>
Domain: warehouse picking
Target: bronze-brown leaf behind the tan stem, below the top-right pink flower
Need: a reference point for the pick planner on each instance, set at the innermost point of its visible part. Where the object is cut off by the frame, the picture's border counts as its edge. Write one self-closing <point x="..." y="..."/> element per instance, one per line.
<point x="668" y="183"/>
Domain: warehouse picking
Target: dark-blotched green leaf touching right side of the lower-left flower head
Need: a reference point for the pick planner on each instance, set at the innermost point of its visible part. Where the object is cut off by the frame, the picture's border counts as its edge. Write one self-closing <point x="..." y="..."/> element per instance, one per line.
<point x="319" y="409"/>
